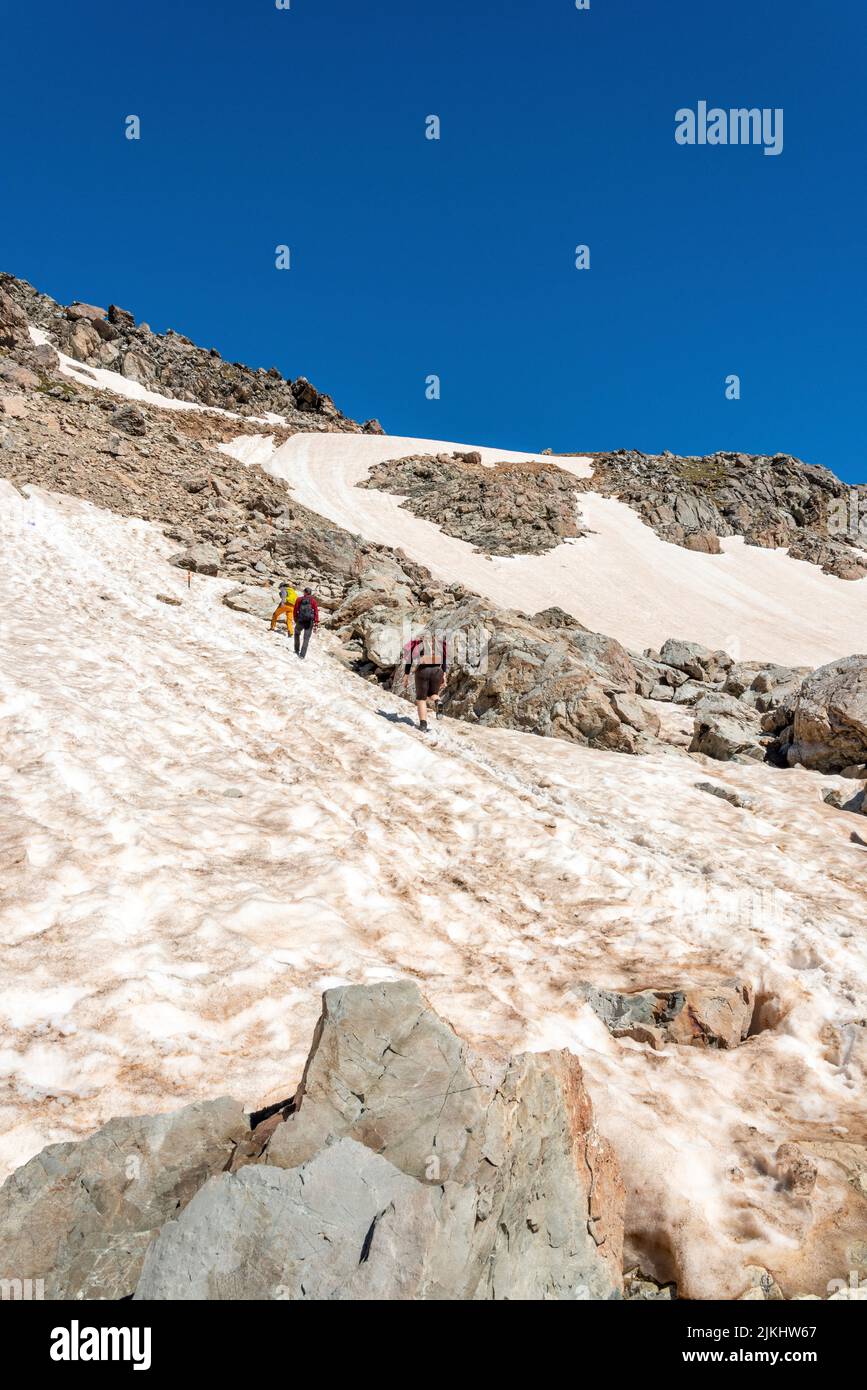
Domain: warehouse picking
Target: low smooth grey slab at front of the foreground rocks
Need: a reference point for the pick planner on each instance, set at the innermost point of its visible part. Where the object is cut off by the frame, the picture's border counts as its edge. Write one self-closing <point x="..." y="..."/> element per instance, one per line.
<point x="347" y="1225"/>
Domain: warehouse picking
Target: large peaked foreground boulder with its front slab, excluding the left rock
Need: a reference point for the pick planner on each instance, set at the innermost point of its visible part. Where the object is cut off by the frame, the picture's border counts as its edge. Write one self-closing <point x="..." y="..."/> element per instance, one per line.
<point x="411" y="1168"/>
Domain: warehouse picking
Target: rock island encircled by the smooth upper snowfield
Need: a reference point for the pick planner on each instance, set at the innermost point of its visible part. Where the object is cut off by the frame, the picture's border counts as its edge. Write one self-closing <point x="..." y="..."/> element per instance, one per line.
<point x="505" y="509"/>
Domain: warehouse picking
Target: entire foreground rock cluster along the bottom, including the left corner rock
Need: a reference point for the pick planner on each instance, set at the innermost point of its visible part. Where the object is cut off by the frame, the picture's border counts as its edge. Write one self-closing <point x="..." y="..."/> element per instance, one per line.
<point x="406" y="1167"/>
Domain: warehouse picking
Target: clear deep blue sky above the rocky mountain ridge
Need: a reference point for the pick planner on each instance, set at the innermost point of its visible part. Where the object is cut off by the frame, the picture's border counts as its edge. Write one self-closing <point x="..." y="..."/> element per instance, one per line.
<point x="409" y="256"/>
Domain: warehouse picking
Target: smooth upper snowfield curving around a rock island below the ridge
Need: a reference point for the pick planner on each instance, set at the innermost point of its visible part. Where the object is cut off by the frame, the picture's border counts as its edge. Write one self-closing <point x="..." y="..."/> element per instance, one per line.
<point x="620" y="580"/>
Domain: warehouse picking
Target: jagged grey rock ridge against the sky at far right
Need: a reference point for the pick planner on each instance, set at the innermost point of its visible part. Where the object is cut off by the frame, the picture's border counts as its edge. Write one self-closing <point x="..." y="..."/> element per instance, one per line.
<point x="770" y="501"/>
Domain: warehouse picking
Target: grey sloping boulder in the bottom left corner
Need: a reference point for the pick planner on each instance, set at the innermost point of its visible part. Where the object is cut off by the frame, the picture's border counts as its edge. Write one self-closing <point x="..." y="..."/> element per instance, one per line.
<point x="80" y="1217"/>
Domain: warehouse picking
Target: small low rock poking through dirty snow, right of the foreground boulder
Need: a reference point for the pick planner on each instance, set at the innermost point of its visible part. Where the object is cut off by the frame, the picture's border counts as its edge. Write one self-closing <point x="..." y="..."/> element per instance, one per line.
<point x="716" y="1017"/>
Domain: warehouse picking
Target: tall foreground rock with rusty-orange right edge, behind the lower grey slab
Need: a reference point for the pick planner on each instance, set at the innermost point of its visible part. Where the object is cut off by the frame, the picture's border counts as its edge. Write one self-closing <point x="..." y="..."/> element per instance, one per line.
<point x="533" y="1188"/>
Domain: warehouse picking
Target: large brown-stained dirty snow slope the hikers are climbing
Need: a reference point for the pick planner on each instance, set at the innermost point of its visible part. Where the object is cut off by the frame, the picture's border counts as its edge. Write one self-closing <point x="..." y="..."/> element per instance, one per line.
<point x="201" y="833"/>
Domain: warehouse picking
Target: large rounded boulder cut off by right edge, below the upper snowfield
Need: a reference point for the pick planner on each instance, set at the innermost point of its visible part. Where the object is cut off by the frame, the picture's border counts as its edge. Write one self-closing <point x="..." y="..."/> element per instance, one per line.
<point x="830" y="725"/>
